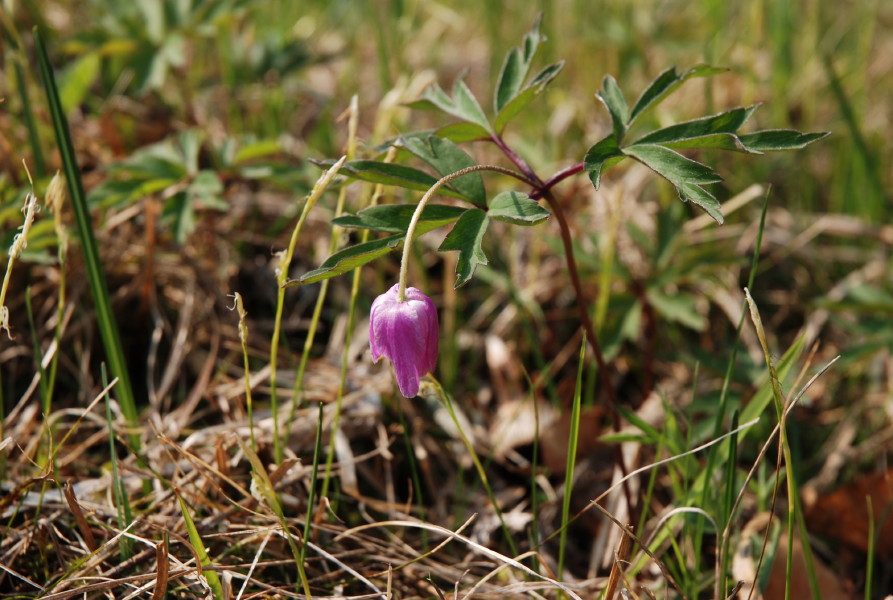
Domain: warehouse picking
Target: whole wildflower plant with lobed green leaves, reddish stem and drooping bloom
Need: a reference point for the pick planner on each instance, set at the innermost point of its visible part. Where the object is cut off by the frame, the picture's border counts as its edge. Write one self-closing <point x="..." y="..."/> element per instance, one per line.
<point x="459" y="176"/>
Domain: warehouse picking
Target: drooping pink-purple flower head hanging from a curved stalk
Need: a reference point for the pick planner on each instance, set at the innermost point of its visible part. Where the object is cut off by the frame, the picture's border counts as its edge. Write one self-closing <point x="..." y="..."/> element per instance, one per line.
<point x="407" y="333"/>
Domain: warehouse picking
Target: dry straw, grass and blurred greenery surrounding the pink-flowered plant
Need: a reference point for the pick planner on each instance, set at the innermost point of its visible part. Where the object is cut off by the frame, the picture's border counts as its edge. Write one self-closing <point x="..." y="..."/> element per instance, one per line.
<point x="195" y="123"/>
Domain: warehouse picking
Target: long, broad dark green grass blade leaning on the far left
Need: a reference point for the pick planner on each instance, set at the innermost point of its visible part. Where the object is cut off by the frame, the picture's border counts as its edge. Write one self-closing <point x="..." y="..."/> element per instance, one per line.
<point x="108" y="328"/>
